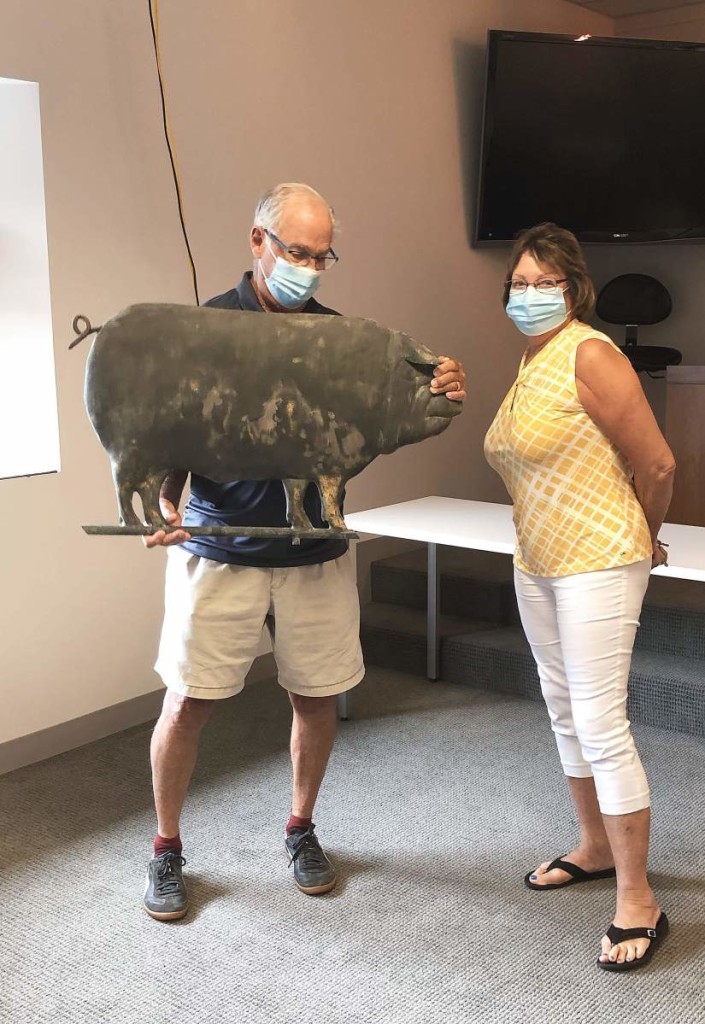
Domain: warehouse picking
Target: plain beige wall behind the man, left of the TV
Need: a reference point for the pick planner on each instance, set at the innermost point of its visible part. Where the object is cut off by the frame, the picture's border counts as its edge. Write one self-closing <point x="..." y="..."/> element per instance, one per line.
<point x="379" y="106"/>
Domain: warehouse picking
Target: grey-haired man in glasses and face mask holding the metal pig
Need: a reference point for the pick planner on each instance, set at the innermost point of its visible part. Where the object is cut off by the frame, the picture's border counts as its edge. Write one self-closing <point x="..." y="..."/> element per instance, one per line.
<point x="221" y="591"/>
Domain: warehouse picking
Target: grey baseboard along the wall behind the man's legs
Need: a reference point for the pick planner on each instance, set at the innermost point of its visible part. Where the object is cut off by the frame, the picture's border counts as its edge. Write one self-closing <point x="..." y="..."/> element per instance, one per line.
<point x="99" y="724"/>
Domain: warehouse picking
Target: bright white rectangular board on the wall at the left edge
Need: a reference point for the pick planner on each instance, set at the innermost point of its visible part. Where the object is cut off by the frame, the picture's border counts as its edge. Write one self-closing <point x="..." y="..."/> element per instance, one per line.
<point x="29" y="424"/>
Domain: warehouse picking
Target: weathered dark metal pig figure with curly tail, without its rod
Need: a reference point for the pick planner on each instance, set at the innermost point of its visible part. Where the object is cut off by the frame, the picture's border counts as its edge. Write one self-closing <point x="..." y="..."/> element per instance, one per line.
<point x="237" y="396"/>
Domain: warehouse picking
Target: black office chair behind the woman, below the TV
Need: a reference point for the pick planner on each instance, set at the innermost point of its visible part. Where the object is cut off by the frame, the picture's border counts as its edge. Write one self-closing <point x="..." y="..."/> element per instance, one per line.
<point x="635" y="300"/>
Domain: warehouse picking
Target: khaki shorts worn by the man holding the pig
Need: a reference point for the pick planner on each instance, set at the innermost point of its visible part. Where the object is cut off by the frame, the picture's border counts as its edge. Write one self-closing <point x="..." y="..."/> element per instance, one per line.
<point x="216" y="613"/>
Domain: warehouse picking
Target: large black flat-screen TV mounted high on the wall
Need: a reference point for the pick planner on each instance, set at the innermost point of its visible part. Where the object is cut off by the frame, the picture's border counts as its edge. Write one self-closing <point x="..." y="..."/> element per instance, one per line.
<point x="604" y="137"/>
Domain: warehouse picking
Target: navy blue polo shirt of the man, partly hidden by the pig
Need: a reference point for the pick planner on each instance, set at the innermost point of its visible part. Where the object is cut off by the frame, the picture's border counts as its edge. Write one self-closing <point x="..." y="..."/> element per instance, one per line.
<point x="255" y="503"/>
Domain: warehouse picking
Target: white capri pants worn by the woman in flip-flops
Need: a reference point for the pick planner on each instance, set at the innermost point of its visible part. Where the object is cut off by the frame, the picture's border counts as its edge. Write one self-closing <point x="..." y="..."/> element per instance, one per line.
<point x="582" y="629"/>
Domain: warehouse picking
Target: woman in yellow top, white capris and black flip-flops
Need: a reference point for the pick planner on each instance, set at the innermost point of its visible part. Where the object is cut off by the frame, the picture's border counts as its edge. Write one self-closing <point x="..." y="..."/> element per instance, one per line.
<point x="591" y="478"/>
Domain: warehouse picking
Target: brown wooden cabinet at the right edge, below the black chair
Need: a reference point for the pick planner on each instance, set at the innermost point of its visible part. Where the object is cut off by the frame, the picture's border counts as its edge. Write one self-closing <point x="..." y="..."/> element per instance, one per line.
<point x="686" y="436"/>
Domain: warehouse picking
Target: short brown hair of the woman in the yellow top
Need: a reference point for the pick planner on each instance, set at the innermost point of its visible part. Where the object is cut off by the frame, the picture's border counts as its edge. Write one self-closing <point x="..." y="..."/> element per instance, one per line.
<point x="560" y="249"/>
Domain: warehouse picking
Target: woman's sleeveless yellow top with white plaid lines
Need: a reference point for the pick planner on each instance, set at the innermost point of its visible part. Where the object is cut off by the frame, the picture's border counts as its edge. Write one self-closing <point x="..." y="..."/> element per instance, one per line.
<point x="575" y="505"/>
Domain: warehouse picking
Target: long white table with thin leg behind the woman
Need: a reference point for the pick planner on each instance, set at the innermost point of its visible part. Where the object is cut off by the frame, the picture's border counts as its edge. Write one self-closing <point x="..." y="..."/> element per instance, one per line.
<point x="488" y="527"/>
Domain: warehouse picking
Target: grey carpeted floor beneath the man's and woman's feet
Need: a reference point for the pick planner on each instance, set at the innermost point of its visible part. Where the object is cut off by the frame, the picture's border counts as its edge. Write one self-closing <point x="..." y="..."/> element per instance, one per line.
<point x="438" y="800"/>
